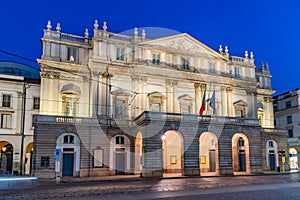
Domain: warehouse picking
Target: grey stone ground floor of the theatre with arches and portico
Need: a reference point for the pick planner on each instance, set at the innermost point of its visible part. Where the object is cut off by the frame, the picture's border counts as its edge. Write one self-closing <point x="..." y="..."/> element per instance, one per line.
<point x="152" y="145"/>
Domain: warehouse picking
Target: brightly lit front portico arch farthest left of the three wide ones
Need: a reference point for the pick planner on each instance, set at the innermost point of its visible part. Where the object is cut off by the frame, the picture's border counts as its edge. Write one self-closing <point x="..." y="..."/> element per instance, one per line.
<point x="172" y="146"/>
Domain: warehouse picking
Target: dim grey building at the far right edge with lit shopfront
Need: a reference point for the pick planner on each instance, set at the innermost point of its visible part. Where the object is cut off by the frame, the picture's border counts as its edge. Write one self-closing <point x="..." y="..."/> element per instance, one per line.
<point x="287" y="116"/>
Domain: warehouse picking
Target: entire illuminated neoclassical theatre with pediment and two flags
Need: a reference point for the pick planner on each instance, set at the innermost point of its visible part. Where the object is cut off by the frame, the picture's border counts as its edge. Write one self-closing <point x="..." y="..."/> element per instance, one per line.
<point x="117" y="104"/>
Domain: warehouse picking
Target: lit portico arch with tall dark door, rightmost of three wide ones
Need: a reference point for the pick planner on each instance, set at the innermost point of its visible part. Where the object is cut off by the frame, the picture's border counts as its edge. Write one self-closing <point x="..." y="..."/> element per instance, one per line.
<point x="240" y="153"/>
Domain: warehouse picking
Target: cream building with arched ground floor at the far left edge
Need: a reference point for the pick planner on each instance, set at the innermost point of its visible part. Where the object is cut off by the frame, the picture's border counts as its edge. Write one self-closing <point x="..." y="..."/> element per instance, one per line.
<point x="19" y="101"/>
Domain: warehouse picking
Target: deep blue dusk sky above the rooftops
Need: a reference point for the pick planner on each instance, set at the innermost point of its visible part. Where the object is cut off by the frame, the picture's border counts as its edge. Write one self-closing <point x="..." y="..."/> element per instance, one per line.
<point x="269" y="28"/>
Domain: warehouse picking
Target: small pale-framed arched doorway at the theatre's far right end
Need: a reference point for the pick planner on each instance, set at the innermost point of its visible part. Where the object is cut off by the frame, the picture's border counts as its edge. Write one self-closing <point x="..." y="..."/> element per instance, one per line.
<point x="271" y="155"/>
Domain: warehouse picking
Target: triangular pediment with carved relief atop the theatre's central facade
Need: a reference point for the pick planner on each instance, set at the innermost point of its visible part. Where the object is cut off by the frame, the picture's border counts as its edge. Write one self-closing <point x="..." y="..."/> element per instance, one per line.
<point x="183" y="43"/>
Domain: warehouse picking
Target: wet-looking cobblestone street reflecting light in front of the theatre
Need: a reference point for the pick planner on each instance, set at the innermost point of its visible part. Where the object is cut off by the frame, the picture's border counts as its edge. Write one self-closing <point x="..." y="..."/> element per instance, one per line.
<point x="179" y="188"/>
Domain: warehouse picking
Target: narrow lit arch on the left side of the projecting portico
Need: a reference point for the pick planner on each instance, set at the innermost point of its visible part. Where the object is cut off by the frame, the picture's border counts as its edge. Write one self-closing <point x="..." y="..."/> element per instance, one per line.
<point x="138" y="153"/>
